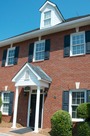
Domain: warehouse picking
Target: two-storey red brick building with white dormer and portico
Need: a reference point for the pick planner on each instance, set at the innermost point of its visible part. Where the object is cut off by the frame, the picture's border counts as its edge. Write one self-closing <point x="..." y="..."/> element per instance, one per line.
<point x="45" y="70"/>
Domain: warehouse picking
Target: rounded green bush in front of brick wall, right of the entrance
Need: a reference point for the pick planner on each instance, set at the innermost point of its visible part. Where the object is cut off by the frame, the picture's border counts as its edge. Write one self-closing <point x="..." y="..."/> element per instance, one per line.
<point x="61" y="124"/>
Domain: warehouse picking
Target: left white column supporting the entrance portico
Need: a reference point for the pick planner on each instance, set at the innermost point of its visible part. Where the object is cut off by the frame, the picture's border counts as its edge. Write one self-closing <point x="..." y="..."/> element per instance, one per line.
<point x="15" y="108"/>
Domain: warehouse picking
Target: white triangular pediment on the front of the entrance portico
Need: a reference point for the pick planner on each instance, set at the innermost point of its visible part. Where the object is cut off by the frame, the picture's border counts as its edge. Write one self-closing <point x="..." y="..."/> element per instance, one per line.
<point x="29" y="76"/>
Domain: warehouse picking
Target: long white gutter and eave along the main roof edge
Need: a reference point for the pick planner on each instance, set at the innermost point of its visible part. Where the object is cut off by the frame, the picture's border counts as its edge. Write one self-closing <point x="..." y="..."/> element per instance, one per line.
<point x="41" y="32"/>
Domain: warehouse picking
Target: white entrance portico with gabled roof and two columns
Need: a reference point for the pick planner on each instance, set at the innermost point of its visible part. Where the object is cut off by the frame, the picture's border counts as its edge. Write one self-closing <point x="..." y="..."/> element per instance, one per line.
<point x="36" y="79"/>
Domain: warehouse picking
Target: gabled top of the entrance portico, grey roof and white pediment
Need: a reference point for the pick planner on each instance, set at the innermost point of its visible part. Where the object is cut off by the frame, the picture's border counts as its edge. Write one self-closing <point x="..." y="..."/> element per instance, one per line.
<point x="31" y="75"/>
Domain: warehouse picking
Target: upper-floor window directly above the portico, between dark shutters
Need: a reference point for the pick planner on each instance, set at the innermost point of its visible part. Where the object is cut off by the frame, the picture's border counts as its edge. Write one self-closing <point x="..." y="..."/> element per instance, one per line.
<point x="39" y="52"/>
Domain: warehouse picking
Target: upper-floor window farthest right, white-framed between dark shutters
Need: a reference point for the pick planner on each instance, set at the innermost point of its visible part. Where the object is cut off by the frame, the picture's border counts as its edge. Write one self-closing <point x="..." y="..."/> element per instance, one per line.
<point x="77" y="44"/>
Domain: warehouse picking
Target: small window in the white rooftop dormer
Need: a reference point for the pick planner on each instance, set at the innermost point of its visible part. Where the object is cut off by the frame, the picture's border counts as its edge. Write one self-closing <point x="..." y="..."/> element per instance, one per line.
<point x="47" y="18"/>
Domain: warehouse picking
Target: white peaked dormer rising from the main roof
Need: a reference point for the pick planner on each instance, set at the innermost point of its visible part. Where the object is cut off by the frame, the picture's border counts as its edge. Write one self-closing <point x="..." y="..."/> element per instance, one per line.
<point x="55" y="15"/>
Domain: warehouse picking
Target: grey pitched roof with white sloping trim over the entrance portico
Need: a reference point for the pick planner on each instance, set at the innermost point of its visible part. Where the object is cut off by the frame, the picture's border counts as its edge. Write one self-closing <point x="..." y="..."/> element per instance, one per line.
<point x="40" y="74"/>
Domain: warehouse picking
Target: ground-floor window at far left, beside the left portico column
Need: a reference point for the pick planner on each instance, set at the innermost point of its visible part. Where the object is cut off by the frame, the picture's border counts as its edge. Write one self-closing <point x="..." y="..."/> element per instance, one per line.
<point x="5" y="103"/>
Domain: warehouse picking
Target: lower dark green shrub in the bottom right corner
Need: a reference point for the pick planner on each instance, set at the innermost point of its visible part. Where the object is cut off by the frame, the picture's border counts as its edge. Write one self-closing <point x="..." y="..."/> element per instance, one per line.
<point x="84" y="129"/>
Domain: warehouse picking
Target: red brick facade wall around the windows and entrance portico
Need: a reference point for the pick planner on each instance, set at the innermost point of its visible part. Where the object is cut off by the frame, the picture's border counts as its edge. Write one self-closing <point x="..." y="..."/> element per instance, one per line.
<point x="63" y="71"/>
